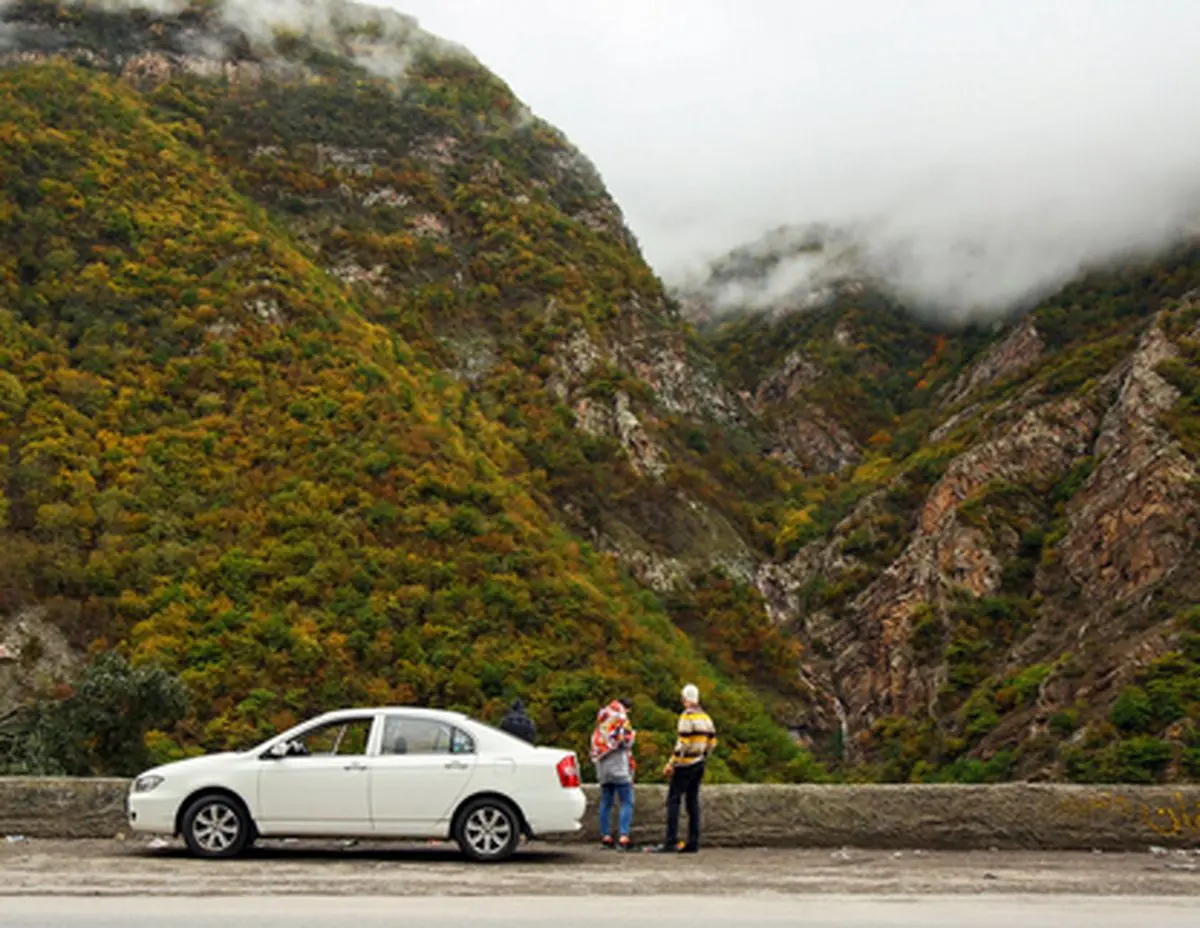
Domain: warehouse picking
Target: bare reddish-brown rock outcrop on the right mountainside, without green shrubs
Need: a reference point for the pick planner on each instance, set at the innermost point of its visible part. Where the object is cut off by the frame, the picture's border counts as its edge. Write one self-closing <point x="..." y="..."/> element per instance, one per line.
<point x="1133" y="525"/>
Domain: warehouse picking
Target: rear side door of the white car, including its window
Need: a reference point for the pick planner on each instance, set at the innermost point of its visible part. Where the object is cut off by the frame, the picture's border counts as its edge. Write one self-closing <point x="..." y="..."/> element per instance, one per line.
<point x="423" y="768"/>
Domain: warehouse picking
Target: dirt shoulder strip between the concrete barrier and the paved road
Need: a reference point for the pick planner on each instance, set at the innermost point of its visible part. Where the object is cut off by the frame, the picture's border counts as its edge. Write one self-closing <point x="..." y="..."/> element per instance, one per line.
<point x="136" y="867"/>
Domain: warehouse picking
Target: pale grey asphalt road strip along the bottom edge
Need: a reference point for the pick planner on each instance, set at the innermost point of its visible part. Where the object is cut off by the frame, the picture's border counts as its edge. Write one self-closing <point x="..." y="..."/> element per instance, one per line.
<point x="661" y="912"/>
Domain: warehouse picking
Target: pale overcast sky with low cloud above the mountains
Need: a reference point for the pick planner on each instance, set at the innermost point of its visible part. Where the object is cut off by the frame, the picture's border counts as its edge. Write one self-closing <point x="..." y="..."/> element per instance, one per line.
<point x="1047" y="134"/>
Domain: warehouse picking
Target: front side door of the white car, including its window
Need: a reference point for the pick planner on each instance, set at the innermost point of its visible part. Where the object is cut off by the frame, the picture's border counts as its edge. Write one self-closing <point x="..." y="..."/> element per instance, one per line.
<point x="321" y="786"/>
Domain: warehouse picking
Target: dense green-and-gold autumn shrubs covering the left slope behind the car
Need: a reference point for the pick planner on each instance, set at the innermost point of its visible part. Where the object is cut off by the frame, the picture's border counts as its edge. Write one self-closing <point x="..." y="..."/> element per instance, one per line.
<point x="217" y="457"/>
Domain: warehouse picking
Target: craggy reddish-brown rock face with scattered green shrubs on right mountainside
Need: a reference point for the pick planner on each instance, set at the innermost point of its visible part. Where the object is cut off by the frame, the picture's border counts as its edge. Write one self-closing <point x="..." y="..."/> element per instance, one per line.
<point x="1078" y="510"/>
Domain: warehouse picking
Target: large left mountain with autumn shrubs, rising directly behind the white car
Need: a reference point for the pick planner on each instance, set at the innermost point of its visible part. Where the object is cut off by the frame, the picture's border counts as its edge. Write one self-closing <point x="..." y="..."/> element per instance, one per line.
<point x="319" y="352"/>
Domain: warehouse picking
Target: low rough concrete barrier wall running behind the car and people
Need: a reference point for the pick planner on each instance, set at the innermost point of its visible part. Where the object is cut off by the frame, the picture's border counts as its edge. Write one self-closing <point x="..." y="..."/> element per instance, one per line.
<point x="1007" y="817"/>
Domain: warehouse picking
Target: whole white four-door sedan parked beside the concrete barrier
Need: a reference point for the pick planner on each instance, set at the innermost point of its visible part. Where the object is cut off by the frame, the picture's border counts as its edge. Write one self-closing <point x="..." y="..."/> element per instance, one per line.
<point x="368" y="774"/>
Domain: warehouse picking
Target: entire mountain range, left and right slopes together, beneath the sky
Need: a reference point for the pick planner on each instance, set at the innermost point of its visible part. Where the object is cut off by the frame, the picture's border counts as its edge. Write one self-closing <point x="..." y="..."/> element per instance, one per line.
<point x="331" y="374"/>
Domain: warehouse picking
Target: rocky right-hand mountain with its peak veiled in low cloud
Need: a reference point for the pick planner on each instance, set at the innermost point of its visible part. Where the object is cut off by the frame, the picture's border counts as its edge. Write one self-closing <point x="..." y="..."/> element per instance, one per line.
<point x="997" y="571"/>
